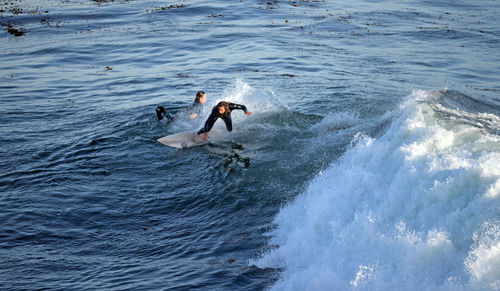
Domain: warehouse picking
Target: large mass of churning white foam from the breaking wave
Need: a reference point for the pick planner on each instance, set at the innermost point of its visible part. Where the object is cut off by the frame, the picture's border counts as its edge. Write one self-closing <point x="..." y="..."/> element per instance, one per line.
<point x="401" y="212"/>
